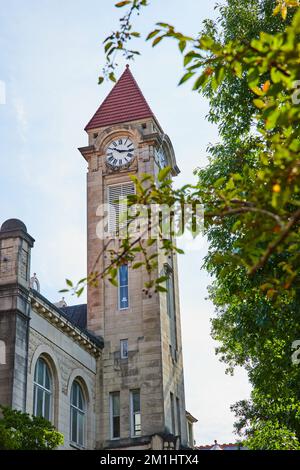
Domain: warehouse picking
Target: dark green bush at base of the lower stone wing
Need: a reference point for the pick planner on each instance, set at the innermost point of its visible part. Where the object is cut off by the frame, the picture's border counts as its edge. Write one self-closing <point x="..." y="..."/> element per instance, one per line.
<point x="20" y="431"/>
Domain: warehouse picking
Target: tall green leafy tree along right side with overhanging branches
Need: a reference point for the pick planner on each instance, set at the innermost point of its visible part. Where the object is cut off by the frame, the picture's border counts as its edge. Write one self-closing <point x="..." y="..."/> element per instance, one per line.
<point x="250" y="190"/>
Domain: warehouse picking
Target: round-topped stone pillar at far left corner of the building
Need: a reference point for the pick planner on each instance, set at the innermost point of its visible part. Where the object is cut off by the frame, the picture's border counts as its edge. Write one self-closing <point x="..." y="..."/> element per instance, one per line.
<point x="15" y="247"/>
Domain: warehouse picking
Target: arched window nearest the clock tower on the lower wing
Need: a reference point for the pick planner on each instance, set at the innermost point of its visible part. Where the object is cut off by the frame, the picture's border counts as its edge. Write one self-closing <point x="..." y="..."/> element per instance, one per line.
<point x="78" y="412"/>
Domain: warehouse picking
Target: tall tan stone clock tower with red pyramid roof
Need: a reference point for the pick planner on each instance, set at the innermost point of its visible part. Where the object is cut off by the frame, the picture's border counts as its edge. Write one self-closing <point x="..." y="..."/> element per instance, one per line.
<point x="140" y="396"/>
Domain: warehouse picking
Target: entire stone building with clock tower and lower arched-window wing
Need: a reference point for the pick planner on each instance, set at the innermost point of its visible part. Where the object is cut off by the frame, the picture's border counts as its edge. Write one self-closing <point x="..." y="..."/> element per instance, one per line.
<point x="108" y="374"/>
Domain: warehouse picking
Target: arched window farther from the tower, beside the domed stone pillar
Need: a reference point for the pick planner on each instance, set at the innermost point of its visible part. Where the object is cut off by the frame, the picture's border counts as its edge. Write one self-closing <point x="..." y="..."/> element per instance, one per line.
<point x="42" y="391"/>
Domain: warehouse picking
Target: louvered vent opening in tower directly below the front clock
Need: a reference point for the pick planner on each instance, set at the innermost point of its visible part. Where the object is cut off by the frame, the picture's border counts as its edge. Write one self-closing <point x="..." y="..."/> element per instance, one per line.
<point x="117" y="194"/>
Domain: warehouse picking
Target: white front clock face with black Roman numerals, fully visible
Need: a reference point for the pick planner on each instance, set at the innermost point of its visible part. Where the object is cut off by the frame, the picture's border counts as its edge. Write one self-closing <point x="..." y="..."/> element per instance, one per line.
<point x="120" y="152"/>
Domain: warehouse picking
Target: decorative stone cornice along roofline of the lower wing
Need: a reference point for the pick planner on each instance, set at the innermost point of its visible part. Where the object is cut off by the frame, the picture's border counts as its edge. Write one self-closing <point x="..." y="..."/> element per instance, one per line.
<point x="93" y="346"/>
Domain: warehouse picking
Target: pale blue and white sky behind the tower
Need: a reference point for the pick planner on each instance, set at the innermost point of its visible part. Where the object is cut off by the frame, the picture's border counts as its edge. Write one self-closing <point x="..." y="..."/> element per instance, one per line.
<point x="51" y="56"/>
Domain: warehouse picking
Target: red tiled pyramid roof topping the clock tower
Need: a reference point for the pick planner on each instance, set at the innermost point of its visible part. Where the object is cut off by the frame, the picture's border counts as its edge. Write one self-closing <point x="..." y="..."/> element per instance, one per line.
<point x="124" y="103"/>
